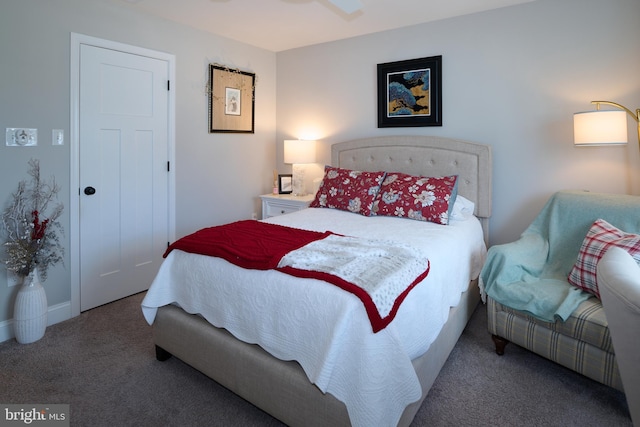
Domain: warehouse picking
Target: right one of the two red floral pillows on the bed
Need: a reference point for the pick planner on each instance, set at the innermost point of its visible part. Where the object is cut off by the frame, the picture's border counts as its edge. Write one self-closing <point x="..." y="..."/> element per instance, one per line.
<point x="417" y="197"/>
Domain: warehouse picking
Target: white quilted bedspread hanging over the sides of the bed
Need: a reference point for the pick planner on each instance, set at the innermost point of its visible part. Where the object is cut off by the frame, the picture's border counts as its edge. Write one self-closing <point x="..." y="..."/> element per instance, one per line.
<point x="323" y="327"/>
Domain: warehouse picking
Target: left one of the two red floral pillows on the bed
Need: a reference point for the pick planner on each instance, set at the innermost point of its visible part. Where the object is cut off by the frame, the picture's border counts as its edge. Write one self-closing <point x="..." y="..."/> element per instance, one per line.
<point x="348" y="190"/>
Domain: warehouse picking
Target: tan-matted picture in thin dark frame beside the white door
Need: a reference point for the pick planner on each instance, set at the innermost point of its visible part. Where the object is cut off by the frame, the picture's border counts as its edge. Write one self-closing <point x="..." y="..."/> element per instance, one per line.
<point x="231" y="100"/>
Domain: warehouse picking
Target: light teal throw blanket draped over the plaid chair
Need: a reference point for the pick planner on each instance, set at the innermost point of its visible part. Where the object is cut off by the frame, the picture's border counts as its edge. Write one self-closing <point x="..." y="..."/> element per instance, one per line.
<point x="530" y="274"/>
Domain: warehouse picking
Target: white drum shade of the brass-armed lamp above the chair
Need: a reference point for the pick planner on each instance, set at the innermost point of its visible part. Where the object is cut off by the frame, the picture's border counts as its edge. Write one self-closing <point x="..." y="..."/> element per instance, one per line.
<point x="600" y="128"/>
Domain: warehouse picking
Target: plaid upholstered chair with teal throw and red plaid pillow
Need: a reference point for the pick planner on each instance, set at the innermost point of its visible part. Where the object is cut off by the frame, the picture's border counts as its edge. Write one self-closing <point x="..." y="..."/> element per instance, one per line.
<point x="541" y="290"/>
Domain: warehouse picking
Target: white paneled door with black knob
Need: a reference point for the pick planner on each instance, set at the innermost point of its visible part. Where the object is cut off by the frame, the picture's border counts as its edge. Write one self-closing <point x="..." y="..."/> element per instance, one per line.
<point x="123" y="176"/>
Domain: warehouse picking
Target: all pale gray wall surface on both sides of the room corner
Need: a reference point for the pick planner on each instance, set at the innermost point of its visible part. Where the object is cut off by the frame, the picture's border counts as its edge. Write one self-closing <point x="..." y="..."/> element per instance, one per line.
<point x="512" y="78"/>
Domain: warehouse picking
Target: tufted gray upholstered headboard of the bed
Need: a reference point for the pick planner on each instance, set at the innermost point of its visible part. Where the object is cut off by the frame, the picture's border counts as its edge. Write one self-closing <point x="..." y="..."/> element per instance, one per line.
<point x="425" y="156"/>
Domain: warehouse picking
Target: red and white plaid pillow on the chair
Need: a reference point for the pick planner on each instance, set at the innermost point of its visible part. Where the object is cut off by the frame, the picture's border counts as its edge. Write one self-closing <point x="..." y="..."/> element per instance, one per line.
<point x="601" y="236"/>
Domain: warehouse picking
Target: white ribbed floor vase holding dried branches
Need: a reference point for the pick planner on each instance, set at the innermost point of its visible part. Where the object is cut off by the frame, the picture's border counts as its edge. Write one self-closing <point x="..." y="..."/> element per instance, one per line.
<point x="30" y="310"/>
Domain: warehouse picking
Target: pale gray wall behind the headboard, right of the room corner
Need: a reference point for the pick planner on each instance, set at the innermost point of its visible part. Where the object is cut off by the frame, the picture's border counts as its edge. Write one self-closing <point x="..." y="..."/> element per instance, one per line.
<point x="512" y="78"/>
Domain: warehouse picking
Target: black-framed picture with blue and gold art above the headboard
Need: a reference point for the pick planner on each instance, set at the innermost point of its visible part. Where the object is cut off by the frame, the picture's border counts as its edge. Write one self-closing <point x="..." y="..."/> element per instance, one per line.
<point x="410" y="93"/>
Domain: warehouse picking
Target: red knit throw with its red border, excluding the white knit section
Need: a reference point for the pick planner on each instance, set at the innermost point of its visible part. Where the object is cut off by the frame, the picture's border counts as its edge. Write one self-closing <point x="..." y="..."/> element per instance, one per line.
<point x="258" y="245"/>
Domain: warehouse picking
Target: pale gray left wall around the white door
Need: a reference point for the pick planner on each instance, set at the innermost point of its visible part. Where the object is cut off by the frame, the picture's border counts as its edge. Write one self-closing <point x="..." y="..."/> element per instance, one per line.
<point x="218" y="176"/>
